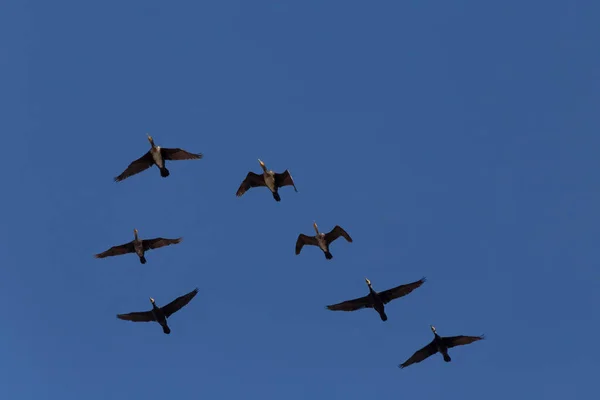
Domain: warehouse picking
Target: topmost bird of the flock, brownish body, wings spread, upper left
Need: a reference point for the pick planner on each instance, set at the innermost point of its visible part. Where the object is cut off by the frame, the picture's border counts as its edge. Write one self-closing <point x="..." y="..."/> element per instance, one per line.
<point x="156" y="156"/>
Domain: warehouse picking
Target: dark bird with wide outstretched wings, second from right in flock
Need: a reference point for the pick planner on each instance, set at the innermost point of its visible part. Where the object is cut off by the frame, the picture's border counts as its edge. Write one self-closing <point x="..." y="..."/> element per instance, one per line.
<point x="376" y="300"/>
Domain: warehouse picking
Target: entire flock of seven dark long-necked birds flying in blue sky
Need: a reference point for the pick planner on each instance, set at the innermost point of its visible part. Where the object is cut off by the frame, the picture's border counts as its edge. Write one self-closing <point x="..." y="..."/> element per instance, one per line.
<point x="273" y="181"/>
